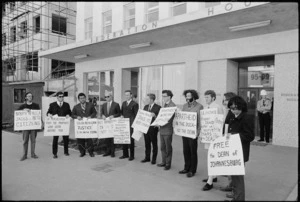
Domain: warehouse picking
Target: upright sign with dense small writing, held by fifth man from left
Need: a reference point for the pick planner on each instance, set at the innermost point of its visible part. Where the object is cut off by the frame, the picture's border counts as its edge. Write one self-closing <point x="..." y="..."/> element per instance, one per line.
<point x="122" y="131"/>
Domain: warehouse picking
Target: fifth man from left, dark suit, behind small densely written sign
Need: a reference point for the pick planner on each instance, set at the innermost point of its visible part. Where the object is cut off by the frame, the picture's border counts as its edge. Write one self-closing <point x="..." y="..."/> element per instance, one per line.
<point x="129" y="110"/>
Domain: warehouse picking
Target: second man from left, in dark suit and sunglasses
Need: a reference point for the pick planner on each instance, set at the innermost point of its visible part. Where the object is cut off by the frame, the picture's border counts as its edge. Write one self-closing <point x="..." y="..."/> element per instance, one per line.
<point x="59" y="108"/>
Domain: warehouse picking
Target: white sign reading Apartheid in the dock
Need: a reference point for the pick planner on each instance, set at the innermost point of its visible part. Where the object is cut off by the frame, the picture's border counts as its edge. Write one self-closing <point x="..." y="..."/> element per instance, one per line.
<point x="186" y="124"/>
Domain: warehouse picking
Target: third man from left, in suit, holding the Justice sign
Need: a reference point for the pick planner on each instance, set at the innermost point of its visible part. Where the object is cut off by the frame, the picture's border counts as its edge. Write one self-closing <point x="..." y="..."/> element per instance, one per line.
<point x="84" y="109"/>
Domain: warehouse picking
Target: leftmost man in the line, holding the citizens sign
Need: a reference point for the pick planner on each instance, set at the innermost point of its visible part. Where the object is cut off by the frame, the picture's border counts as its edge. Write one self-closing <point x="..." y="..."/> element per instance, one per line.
<point x="29" y="105"/>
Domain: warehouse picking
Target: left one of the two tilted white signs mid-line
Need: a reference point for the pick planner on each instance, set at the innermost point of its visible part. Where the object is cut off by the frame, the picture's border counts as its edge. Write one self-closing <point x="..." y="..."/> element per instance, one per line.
<point x="142" y="121"/>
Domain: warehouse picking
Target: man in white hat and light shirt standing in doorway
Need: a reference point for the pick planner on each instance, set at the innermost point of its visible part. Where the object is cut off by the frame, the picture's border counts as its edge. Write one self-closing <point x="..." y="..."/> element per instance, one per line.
<point x="264" y="107"/>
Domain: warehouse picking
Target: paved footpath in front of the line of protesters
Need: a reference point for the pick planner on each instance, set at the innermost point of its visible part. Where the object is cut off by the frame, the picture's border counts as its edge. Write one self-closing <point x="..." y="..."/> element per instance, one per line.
<point x="271" y="174"/>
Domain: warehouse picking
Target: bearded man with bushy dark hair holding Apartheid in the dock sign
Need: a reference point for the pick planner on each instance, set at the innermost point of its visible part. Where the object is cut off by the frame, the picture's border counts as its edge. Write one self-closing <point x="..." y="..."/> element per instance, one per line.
<point x="190" y="145"/>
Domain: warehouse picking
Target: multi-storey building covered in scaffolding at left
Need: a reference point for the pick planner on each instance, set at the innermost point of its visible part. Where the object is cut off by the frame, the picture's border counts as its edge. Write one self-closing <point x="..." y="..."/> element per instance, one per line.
<point x="29" y="27"/>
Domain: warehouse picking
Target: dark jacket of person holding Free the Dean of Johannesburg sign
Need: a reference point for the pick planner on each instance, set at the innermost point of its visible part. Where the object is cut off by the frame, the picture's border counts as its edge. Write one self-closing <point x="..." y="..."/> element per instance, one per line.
<point x="244" y="125"/>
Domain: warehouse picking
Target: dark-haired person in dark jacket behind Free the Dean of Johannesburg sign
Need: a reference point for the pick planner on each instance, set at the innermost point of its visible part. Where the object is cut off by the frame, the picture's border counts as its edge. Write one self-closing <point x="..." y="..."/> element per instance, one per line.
<point x="242" y="124"/>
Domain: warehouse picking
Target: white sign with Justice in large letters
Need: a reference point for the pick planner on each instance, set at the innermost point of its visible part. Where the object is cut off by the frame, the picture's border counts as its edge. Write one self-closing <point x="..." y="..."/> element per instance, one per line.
<point x="86" y="128"/>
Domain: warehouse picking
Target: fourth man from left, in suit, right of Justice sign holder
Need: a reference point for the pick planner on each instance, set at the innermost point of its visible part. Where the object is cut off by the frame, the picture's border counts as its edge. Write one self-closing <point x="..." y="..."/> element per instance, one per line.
<point x="110" y="110"/>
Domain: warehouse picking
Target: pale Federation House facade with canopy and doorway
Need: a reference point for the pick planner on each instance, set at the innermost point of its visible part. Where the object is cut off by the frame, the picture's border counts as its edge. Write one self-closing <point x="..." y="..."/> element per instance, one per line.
<point x="242" y="47"/>
